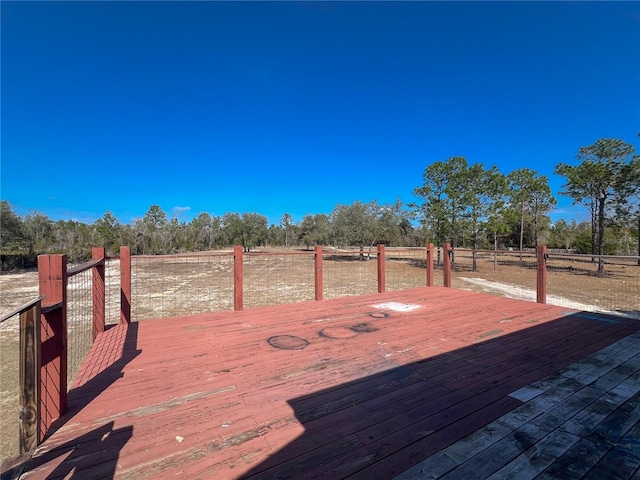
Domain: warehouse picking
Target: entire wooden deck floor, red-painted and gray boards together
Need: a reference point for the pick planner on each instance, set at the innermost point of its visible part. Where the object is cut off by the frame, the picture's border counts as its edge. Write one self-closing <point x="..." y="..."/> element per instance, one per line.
<point x="463" y="386"/>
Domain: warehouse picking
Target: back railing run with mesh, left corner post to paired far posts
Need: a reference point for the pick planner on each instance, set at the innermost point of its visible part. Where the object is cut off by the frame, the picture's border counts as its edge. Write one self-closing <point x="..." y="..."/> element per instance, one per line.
<point x="185" y="284"/>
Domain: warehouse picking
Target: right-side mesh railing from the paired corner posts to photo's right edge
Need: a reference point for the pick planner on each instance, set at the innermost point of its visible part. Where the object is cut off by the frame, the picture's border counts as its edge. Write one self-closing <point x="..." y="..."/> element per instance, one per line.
<point x="569" y="279"/>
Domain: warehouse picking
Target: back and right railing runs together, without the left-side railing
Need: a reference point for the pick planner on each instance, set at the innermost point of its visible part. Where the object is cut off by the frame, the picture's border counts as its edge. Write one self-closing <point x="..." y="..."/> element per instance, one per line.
<point x="177" y="285"/>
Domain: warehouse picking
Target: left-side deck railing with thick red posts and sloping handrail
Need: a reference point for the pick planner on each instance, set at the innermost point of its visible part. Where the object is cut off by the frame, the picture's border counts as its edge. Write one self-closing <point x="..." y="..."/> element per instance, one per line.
<point x="55" y="334"/>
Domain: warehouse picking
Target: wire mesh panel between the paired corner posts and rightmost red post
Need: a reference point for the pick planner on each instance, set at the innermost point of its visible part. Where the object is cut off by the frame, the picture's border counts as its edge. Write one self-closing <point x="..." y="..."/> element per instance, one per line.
<point x="504" y="273"/>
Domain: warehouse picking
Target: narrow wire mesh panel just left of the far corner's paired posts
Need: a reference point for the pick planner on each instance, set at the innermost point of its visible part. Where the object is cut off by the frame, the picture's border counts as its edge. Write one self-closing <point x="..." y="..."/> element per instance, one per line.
<point x="405" y="268"/>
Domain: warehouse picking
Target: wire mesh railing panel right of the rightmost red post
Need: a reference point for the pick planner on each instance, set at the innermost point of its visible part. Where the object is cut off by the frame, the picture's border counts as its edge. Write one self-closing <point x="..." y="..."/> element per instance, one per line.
<point x="573" y="281"/>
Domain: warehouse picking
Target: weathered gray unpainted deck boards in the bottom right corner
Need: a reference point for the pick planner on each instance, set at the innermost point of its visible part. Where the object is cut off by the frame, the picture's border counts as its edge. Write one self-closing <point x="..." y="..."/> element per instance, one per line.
<point x="581" y="422"/>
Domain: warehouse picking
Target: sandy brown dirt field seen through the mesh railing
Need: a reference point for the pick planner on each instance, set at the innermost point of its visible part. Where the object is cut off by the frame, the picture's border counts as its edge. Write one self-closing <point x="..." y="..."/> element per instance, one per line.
<point x="171" y="286"/>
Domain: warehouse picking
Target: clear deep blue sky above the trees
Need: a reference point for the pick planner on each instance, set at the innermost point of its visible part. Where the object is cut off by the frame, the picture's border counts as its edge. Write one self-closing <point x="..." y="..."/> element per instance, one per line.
<point x="295" y="107"/>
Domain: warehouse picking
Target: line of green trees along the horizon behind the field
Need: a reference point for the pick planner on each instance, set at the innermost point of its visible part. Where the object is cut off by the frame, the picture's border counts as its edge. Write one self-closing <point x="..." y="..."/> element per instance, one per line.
<point x="468" y="205"/>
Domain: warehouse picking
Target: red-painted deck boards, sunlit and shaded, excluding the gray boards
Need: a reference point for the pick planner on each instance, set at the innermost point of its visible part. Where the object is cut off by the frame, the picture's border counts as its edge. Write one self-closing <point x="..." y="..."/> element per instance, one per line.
<point x="207" y="396"/>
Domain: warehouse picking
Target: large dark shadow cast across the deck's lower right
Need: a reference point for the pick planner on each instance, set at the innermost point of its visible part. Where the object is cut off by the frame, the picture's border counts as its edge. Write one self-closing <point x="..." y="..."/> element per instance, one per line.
<point x="379" y="426"/>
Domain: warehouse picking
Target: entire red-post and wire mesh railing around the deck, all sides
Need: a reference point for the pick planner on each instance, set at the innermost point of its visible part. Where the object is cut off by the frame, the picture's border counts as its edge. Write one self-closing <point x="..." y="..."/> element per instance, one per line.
<point x="176" y="285"/>
